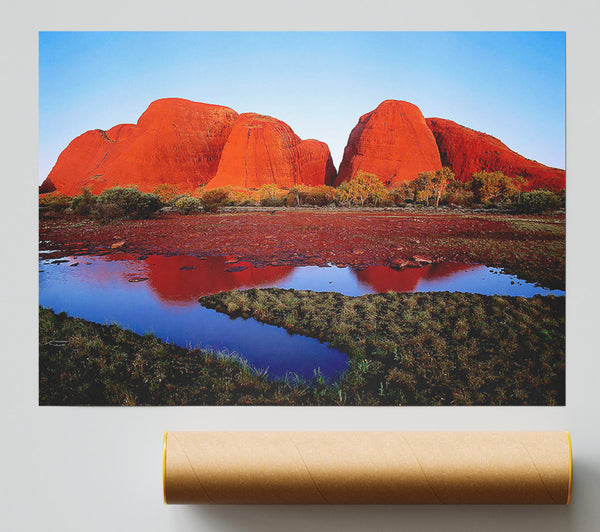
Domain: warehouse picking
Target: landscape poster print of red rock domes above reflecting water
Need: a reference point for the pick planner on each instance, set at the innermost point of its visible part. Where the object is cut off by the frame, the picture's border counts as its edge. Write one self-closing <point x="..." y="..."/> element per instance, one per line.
<point x="302" y="218"/>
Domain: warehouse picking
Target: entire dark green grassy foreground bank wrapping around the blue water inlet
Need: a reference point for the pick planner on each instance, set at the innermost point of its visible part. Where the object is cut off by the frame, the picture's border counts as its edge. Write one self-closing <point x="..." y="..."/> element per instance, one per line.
<point x="404" y="349"/>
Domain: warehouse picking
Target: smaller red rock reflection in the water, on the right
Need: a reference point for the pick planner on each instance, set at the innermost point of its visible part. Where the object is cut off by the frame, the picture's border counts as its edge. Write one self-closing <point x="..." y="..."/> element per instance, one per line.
<point x="385" y="279"/>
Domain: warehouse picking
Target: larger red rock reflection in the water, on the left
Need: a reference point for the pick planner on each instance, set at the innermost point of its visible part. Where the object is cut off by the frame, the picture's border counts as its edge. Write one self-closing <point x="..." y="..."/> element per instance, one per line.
<point x="183" y="279"/>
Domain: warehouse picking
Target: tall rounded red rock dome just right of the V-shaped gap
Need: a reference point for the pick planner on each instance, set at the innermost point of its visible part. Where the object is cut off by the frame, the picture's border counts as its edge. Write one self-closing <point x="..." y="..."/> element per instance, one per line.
<point x="393" y="142"/>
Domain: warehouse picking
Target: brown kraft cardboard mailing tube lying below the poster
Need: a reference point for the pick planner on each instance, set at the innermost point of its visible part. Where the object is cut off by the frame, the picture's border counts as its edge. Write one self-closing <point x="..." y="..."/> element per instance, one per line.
<point x="367" y="467"/>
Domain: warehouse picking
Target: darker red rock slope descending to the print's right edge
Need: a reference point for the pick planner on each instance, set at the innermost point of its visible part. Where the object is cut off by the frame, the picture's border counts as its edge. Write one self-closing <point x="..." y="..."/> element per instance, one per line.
<point x="467" y="151"/>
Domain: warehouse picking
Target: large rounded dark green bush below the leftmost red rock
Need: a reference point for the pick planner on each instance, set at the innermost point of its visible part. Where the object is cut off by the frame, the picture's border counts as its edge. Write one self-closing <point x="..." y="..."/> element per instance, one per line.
<point x="130" y="201"/>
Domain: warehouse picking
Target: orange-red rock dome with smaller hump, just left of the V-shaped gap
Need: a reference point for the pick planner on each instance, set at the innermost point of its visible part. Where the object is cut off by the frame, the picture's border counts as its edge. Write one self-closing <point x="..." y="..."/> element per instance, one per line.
<point x="263" y="150"/>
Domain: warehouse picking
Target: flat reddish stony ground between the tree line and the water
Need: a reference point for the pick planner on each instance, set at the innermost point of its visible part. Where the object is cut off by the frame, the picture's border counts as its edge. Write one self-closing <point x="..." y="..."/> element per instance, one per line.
<point x="532" y="247"/>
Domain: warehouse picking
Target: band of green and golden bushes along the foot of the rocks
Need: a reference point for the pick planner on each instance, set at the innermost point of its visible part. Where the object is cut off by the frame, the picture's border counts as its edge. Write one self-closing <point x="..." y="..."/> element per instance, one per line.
<point x="430" y="189"/>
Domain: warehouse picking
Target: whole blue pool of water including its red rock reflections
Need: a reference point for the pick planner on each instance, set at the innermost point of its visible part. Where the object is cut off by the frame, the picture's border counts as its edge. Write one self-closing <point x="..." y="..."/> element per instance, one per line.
<point x="159" y="295"/>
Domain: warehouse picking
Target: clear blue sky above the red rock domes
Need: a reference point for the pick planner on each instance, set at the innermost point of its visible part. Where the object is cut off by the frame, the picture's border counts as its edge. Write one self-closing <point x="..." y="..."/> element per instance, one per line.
<point x="508" y="84"/>
